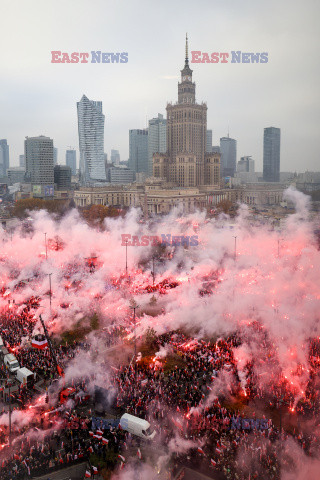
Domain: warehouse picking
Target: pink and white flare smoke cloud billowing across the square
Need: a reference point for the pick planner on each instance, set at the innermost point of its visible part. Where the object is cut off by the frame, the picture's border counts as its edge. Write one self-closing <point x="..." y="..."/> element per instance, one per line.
<point x="280" y="292"/>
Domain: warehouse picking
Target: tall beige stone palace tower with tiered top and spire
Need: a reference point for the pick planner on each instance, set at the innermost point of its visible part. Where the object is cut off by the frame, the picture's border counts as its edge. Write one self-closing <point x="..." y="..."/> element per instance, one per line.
<point x="186" y="162"/>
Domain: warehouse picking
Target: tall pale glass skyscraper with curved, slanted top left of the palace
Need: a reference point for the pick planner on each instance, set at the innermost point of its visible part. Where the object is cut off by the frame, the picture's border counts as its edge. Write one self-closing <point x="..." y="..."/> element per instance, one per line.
<point x="91" y="140"/>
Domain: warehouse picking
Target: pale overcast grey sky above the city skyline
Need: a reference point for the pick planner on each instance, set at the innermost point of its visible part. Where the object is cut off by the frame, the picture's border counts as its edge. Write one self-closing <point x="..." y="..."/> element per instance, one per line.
<point x="39" y="98"/>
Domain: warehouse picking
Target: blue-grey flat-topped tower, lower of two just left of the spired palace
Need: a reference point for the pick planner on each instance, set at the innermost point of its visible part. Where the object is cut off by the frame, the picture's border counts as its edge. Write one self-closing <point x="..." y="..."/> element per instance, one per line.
<point x="138" y="150"/>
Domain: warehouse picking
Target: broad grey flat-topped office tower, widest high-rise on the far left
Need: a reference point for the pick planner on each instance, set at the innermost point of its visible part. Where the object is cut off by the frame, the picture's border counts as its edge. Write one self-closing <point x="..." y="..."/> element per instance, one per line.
<point x="39" y="164"/>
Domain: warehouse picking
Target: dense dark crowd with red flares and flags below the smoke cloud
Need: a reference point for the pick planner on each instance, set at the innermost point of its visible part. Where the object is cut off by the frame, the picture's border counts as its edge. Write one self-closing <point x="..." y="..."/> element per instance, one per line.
<point x="175" y="402"/>
